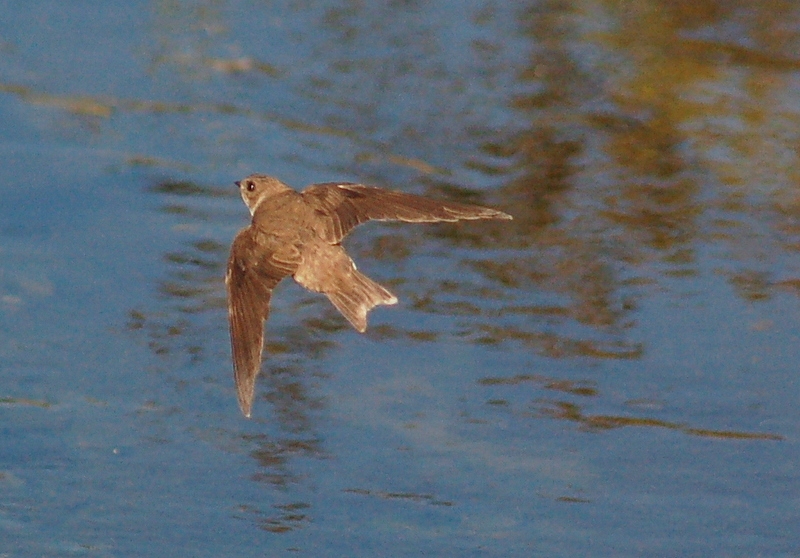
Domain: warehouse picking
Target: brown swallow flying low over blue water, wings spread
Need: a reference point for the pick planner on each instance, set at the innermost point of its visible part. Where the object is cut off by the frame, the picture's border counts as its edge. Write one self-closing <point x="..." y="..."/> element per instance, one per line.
<point x="300" y="234"/>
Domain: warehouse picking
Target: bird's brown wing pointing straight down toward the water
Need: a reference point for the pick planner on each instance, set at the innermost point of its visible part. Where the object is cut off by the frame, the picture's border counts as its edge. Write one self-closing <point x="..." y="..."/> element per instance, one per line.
<point x="253" y="271"/>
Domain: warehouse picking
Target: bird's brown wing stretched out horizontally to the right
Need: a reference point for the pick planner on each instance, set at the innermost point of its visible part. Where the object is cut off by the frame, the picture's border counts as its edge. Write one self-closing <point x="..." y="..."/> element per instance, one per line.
<point x="348" y="205"/>
